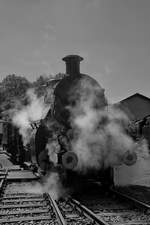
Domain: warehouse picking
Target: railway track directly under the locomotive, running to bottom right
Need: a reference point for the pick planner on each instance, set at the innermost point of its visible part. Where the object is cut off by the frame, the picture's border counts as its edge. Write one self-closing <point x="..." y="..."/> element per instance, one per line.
<point x="113" y="208"/>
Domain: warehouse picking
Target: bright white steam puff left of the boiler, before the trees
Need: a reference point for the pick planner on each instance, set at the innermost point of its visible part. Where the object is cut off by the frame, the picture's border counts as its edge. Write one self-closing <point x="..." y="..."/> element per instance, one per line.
<point x="33" y="111"/>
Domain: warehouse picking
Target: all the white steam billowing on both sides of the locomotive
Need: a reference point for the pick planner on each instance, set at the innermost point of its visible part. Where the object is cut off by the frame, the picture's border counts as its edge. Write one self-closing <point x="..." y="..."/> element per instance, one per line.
<point x="98" y="136"/>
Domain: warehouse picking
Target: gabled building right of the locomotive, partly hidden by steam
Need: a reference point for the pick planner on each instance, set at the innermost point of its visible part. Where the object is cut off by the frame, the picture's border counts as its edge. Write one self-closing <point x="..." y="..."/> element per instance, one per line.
<point x="137" y="107"/>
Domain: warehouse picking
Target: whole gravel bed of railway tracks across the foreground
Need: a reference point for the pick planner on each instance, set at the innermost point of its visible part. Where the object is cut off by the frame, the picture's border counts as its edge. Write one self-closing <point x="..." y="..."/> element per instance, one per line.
<point x="96" y="206"/>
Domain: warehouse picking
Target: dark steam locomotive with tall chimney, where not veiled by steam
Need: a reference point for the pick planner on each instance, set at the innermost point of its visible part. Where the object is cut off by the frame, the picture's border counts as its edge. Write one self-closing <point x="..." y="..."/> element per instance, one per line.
<point x="57" y="125"/>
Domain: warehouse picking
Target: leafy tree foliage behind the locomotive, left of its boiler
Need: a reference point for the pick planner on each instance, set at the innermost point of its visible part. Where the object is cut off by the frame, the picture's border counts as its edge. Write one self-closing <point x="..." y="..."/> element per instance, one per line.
<point x="13" y="90"/>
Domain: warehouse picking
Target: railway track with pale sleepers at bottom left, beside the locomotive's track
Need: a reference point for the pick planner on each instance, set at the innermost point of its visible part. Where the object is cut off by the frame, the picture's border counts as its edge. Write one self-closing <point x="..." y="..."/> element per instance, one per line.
<point x="20" y="207"/>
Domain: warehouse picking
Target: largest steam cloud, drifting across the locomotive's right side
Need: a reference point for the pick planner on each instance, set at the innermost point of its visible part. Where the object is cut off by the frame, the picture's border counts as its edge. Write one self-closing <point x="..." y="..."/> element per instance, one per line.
<point x="99" y="136"/>
